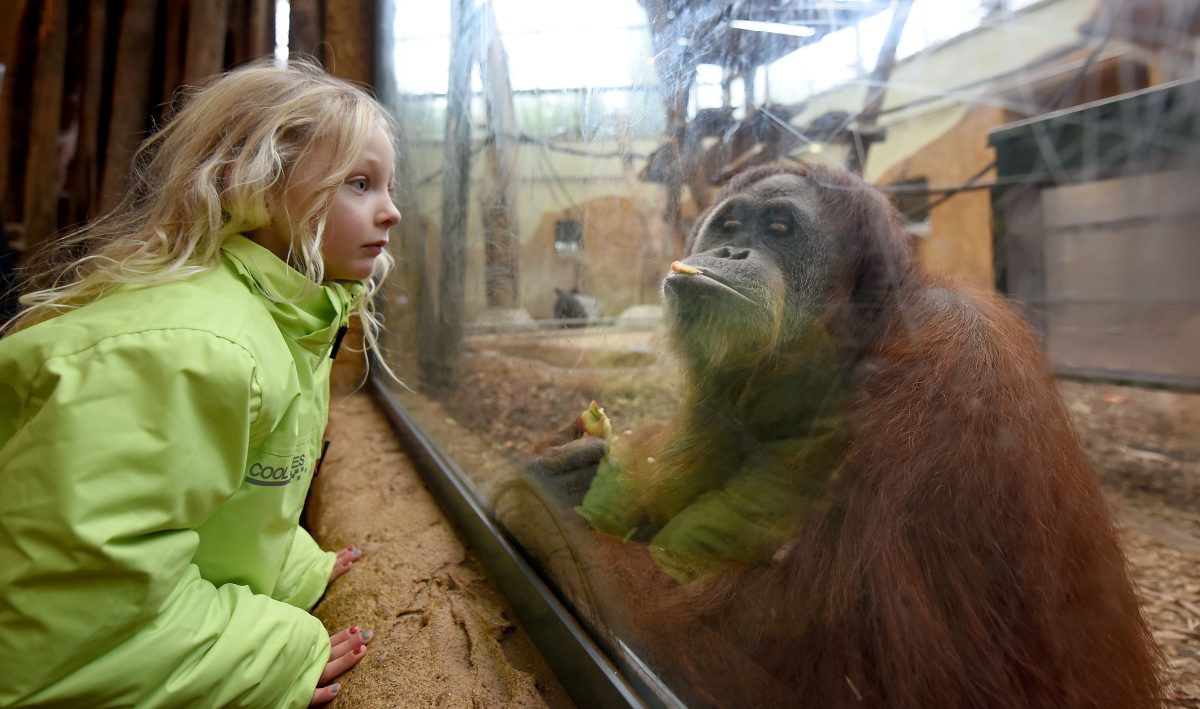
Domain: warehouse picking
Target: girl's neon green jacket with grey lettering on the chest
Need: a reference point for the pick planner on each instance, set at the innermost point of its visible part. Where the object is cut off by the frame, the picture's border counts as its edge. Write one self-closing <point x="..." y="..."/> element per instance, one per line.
<point x="155" y="452"/>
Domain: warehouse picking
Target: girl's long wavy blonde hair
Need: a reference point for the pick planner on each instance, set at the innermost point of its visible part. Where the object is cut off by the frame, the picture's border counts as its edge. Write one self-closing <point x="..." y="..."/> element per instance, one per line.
<point x="209" y="173"/>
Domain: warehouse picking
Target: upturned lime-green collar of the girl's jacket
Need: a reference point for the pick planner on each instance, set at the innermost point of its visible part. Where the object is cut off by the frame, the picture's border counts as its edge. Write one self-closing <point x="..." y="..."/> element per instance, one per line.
<point x="304" y="311"/>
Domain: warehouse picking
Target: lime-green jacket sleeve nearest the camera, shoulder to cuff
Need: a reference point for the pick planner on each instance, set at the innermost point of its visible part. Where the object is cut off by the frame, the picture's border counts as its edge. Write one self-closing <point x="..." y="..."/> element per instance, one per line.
<point x="119" y="453"/>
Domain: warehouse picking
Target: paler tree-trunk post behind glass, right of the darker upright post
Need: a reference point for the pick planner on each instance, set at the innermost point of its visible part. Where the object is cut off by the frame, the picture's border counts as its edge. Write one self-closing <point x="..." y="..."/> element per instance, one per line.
<point x="501" y="243"/>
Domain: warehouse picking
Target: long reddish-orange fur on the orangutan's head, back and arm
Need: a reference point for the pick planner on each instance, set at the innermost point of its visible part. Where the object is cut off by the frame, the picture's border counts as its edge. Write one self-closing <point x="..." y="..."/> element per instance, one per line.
<point x="963" y="557"/>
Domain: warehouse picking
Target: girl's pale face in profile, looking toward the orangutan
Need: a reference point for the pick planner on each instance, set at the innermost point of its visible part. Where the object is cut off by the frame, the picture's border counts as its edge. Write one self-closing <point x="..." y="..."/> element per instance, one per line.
<point x="359" y="217"/>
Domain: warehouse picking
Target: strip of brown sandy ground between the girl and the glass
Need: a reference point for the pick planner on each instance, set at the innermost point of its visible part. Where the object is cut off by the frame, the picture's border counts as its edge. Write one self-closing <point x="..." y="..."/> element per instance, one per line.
<point x="443" y="636"/>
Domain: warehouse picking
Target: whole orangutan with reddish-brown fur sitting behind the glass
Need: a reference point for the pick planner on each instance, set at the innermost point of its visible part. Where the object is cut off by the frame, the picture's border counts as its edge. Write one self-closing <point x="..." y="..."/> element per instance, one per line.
<point x="872" y="494"/>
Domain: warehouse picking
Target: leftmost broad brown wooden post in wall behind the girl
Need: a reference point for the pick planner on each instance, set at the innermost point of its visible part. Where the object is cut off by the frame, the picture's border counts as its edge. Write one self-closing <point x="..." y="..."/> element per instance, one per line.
<point x="43" y="169"/>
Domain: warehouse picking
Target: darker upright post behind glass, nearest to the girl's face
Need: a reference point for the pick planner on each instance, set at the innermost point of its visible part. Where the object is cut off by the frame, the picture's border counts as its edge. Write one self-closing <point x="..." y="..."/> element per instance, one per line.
<point x="441" y="371"/>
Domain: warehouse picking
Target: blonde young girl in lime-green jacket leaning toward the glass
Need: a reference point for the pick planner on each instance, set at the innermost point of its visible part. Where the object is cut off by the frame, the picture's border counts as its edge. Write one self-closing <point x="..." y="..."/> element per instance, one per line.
<point x="163" y="400"/>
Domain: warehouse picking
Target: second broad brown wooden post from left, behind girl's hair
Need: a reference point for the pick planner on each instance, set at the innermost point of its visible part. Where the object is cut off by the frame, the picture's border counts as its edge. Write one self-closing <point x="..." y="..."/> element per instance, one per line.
<point x="131" y="98"/>
